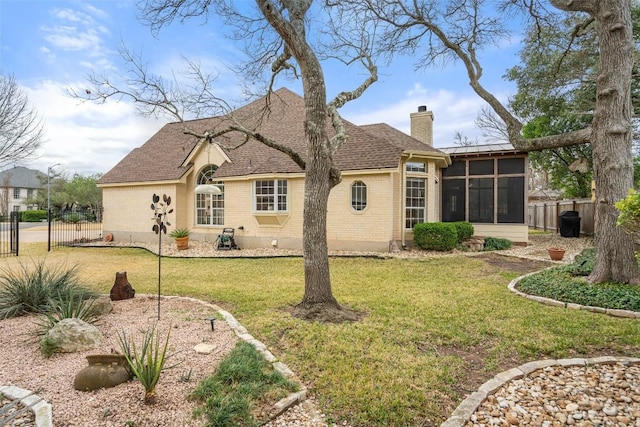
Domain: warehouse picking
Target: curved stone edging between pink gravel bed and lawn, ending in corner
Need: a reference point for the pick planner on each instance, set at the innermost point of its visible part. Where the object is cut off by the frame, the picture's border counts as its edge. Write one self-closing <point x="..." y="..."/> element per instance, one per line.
<point x="241" y="332"/>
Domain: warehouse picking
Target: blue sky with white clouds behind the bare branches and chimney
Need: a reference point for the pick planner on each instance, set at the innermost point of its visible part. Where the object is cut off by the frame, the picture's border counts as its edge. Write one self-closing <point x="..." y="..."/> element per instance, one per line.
<point x="51" y="45"/>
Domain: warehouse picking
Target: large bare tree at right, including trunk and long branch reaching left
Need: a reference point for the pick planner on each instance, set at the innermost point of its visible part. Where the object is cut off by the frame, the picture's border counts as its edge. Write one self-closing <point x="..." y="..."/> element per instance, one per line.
<point x="438" y="31"/>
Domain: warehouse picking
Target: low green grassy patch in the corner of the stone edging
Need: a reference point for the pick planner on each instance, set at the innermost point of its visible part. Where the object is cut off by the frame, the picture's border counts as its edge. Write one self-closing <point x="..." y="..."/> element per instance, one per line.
<point x="243" y="382"/>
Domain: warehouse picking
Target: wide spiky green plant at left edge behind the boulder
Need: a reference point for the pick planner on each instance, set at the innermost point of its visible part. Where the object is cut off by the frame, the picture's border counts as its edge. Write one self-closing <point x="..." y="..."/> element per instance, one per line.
<point x="32" y="290"/>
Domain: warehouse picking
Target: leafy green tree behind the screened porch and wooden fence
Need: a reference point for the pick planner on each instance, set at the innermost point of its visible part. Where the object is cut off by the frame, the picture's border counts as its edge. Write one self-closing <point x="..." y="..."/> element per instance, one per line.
<point x="557" y="94"/>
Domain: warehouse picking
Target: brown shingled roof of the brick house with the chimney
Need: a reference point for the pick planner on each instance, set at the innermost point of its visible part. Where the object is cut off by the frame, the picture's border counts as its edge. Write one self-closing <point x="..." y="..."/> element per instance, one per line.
<point x="164" y="156"/>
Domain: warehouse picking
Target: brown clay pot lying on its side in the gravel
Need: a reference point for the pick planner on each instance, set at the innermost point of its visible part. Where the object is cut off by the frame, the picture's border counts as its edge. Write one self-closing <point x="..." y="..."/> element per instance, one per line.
<point x="104" y="371"/>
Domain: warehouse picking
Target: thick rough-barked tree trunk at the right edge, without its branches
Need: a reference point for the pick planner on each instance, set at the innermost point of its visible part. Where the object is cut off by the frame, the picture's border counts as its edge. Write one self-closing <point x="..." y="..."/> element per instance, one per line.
<point x="612" y="139"/>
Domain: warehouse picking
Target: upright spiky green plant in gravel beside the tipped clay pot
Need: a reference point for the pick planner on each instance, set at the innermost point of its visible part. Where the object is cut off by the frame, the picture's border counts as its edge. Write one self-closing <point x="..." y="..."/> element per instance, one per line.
<point x="147" y="362"/>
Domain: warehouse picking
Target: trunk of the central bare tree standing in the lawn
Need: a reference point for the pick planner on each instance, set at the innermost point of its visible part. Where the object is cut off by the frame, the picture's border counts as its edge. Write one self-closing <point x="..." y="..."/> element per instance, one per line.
<point x="321" y="176"/>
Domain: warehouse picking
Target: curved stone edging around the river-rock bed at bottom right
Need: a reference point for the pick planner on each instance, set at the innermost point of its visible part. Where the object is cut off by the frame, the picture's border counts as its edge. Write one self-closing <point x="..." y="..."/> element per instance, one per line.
<point x="462" y="414"/>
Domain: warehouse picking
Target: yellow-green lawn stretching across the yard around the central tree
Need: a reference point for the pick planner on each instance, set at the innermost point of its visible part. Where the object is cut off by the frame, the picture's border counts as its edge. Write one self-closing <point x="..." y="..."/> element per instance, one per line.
<point x="433" y="330"/>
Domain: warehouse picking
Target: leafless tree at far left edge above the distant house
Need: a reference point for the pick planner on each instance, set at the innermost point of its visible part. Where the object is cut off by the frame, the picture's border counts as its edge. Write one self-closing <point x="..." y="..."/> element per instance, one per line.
<point x="21" y="131"/>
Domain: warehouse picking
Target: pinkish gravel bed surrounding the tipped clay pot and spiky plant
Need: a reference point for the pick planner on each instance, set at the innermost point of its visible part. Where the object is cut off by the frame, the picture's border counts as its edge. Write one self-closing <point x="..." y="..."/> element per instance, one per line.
<point x="22" y="365"/>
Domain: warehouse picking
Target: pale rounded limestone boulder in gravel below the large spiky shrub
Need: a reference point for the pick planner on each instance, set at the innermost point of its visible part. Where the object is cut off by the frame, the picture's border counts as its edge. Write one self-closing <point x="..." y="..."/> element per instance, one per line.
<point x="71" y="335"/>
